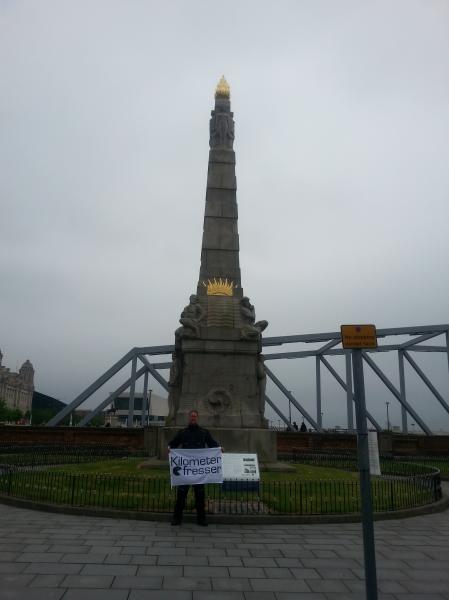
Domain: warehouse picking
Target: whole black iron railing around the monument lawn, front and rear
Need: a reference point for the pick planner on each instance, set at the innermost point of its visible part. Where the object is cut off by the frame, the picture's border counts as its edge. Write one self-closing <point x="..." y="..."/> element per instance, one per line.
<point x="25" y="473"/>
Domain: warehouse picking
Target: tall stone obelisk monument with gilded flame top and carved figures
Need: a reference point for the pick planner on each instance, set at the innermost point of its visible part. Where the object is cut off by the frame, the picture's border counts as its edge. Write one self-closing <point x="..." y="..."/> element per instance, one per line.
<point x="217" y="367"/>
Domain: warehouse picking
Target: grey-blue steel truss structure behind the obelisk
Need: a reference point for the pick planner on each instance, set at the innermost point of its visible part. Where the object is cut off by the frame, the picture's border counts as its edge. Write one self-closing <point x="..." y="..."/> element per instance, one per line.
<point x="141" y="363"/>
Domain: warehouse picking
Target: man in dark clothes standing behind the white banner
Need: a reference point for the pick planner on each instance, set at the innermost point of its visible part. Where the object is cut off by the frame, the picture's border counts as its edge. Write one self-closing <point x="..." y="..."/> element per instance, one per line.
<point x="193" y="436"/>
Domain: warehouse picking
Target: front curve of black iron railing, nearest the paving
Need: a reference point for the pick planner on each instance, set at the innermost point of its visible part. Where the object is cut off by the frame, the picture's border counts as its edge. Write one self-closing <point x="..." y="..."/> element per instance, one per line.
<point x="272" y="497"/>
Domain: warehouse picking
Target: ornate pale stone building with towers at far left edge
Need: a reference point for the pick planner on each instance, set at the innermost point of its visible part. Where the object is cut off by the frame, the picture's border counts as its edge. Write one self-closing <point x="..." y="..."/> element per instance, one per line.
<point x="16" y="389"/>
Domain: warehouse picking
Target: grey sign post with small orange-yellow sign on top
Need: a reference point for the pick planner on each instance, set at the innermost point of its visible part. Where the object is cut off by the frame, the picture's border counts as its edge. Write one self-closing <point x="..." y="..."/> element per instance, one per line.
<point x="356" y="337"/>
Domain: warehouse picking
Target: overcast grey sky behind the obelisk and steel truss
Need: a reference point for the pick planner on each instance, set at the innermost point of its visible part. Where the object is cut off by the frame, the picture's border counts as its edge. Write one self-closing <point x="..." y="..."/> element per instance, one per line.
<point x="342" y="143"/>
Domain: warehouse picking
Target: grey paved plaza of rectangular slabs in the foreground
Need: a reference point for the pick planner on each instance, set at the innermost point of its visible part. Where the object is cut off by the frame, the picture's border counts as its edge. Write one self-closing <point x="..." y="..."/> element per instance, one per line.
<point x="46" y="555"/>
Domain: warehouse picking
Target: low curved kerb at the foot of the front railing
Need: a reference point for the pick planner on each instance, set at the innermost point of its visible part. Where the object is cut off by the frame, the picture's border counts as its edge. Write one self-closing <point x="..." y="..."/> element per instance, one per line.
<point x="435" y="507"/>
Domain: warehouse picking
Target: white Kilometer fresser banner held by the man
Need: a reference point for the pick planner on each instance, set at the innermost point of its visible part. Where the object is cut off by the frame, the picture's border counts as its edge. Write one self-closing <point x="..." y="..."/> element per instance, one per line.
<point x="195" y="466"/>
